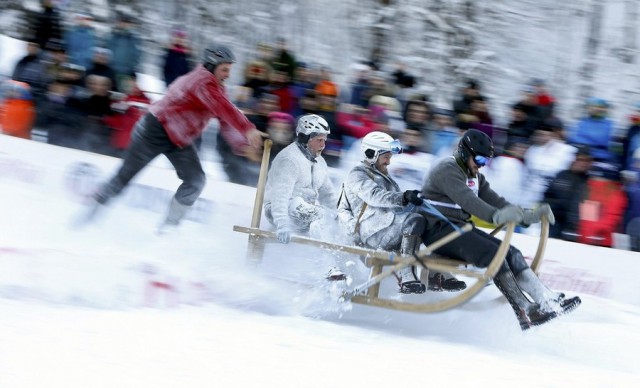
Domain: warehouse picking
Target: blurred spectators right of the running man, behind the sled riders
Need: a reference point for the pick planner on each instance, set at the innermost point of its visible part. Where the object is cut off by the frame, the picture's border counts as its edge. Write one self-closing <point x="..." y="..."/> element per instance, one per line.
<point x="587" y="172"/>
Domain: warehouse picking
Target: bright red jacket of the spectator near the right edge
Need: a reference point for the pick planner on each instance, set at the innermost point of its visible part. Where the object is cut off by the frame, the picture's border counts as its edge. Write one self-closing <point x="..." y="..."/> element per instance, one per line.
<point x="610" y="202"/>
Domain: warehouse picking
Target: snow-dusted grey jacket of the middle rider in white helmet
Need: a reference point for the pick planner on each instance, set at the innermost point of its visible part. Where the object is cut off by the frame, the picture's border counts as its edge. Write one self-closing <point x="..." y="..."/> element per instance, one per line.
<point x="384" y="208"/>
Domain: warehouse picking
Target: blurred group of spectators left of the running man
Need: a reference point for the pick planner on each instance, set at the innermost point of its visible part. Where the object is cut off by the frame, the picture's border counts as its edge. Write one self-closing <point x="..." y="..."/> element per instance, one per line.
<point x="79" y="85"/>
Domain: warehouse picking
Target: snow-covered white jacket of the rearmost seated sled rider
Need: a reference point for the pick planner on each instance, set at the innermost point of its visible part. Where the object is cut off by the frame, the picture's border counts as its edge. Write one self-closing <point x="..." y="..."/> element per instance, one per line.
<point x="293" y="174"/>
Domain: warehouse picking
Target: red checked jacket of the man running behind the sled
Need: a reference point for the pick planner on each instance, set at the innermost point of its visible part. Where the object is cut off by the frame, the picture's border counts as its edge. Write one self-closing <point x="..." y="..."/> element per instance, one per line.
<point x="191" y="101"/>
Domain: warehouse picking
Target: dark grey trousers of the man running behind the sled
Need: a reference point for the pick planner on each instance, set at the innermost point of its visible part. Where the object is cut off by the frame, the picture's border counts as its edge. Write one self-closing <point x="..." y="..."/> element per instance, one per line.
<point x="149" y="139"/>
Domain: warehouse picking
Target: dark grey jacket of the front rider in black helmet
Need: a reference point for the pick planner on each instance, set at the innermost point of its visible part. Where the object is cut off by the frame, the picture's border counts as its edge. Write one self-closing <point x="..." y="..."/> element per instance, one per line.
<point x="450" y="189"/>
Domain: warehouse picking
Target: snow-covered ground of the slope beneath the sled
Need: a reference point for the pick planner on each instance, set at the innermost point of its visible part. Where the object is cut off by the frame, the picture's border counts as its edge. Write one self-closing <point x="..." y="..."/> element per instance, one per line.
<point x="86" y="315"/>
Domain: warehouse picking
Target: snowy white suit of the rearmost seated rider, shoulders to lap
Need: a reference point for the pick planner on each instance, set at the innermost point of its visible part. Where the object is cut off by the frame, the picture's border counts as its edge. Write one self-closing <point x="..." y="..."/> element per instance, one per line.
<point x="299" y="190"/>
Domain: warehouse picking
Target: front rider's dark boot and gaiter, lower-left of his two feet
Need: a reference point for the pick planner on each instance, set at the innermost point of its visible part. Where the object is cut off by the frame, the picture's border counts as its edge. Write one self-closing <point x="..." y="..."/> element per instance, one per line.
<point x="528" y="314"/>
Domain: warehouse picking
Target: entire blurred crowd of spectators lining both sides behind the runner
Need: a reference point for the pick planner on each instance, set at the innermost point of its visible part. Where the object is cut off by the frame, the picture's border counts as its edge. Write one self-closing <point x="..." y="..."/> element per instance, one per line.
<point x="79" y="88"/>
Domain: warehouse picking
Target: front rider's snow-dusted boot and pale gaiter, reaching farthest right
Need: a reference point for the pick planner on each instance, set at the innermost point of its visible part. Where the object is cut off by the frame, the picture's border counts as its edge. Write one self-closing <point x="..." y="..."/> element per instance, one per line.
<point x="541" y="294"/>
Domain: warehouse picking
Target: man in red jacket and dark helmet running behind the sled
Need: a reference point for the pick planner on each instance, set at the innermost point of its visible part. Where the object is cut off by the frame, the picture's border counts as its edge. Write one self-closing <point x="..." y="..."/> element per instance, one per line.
<point x="170" y="128"/>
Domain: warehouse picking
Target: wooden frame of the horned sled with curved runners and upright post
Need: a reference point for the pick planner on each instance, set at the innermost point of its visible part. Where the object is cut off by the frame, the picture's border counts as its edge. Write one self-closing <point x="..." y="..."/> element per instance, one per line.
<point x="368" y="292"/>
